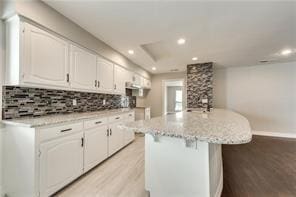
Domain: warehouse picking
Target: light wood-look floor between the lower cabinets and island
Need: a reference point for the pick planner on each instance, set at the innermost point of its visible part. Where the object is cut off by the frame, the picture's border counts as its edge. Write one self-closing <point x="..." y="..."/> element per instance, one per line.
<point x="122" y="175"/>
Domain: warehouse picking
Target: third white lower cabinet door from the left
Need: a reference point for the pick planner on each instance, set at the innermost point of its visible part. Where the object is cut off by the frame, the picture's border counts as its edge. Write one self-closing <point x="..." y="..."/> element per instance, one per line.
<point x="115" y="139"/>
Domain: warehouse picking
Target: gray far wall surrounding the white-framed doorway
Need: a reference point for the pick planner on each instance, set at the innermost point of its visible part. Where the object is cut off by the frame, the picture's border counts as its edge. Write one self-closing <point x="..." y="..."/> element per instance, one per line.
<point x="155" y="95"/>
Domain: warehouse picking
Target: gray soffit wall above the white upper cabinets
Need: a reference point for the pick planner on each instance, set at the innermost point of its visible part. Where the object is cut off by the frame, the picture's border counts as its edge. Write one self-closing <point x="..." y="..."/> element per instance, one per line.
<point x="41" y="13"/>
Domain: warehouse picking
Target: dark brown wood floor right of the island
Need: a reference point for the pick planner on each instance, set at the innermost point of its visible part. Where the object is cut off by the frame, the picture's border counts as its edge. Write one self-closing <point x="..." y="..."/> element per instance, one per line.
<point x="266" y="167"/>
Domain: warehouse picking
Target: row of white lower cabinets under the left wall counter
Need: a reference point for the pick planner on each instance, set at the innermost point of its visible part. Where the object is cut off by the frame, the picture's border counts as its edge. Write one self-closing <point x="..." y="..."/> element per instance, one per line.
<point x="43" y="160"/>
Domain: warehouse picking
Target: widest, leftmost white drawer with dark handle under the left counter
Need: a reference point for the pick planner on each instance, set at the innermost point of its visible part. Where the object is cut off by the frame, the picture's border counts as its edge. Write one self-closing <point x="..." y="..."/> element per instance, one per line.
<point x="58" y="131"/>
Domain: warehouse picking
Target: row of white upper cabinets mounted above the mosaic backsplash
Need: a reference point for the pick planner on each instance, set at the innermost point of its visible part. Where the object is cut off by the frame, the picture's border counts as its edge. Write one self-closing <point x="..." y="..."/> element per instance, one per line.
<point x="41" y="58"/>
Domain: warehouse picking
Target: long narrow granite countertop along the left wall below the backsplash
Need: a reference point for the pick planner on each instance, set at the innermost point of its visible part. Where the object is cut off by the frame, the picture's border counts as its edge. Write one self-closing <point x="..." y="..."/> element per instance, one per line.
<point x="62" y="118"/>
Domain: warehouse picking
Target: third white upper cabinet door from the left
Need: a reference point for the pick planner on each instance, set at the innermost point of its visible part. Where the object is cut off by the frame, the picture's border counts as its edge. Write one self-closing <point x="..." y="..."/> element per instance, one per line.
<point x="105" y="75"/>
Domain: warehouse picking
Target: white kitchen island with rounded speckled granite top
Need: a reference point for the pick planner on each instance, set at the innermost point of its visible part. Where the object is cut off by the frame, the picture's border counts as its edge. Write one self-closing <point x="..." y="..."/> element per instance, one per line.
<point x="183" y="154"/>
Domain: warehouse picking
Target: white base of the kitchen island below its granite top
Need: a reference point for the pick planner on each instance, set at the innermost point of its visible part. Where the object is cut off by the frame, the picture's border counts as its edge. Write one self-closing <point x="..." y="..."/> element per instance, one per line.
<point x="173" y="169"/>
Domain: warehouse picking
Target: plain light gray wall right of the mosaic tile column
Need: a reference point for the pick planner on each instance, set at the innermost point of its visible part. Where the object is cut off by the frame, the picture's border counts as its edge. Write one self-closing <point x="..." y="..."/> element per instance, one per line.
<point x="265" y="94"/>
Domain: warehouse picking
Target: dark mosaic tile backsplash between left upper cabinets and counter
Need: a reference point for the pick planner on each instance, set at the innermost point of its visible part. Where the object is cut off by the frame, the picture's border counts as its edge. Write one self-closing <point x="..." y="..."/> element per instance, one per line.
<point x="25" y="102"/>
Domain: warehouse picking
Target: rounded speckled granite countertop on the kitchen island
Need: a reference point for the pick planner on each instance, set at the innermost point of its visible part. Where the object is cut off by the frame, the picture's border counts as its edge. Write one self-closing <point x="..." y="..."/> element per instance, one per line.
<point x="219" y="126"/>
